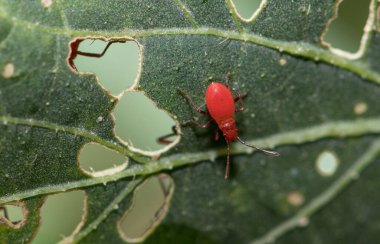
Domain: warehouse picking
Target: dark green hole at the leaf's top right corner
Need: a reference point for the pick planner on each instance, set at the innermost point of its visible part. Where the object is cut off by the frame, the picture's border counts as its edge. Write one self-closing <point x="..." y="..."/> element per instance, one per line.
<point x="346" y="30"/>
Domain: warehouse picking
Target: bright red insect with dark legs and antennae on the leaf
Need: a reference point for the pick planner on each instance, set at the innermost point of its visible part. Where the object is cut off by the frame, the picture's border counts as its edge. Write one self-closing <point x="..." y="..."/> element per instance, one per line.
<point x="221" y="107"/>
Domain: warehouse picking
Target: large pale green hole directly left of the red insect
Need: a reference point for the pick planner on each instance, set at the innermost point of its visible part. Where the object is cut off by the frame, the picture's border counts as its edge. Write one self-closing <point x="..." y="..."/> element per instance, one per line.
<point x="140" y="123"/>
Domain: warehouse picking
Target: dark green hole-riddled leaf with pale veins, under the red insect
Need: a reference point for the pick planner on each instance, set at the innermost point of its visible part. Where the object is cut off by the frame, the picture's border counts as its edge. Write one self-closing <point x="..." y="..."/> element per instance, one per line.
<point x="301" y="100"/>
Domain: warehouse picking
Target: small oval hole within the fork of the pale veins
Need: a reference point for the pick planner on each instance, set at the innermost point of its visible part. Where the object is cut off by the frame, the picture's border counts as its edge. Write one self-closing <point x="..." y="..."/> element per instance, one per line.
<point x="97" y="160"/>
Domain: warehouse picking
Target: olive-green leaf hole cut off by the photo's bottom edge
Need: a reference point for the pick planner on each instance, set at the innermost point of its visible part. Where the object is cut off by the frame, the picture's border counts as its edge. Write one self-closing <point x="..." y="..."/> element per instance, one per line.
<point x="61" y="214"/>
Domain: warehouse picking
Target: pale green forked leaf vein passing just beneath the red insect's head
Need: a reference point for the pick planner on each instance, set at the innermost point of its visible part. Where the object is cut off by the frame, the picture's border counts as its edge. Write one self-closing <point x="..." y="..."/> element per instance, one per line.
<point x="337" y="129"/>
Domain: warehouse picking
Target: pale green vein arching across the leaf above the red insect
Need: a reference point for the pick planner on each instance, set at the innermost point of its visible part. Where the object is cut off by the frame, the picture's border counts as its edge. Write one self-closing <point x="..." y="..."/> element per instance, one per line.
<point x="298" y="49"/>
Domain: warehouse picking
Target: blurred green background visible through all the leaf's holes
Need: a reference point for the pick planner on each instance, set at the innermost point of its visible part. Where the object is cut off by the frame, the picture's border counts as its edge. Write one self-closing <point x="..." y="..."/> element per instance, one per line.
<point x="139" y="123"/>
